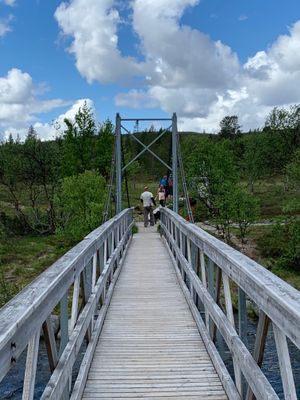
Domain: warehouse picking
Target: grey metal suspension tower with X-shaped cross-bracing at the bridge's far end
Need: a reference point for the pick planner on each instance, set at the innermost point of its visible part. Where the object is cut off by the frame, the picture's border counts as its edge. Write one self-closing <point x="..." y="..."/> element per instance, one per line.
<point x="173" y="168"/>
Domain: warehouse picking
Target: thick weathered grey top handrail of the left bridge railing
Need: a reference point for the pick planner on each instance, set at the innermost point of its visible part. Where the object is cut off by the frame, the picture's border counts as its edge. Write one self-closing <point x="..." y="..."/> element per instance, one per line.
<point x="20" y="317"/>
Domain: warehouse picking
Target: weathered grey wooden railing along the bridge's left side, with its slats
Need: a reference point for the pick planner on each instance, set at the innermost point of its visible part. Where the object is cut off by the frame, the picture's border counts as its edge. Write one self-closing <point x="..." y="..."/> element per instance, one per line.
<point x="77" y="288"/>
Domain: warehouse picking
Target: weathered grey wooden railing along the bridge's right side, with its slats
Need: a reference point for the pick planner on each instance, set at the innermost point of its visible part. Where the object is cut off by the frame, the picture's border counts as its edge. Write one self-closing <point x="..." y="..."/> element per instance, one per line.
<point x="211" y="273"/>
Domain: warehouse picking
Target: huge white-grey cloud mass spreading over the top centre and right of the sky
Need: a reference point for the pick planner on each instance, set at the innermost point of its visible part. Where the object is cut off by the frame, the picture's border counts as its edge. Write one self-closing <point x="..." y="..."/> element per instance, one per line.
<point x="179" y="68"/>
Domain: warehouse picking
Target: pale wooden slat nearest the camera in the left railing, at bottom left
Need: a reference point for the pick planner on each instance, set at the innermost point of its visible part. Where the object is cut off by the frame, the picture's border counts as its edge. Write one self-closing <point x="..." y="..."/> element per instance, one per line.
<point x="31" y="364"/>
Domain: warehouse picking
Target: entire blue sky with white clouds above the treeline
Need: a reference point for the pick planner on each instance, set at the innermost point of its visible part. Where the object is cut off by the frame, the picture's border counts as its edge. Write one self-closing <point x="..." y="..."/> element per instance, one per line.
<point x="203" y="59"/>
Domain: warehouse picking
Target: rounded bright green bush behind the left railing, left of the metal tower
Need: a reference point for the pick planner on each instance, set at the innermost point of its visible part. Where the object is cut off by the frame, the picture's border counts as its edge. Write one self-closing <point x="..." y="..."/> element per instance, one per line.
<point x="79" y="204"/>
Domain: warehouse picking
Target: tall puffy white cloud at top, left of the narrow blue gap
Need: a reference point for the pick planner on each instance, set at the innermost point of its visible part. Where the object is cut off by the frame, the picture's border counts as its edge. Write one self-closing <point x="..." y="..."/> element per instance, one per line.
<point x="93" y="27"/>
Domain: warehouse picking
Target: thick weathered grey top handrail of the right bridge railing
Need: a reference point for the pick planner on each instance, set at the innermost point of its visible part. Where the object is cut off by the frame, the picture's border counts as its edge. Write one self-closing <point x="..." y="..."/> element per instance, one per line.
<point x="279" y="300"/>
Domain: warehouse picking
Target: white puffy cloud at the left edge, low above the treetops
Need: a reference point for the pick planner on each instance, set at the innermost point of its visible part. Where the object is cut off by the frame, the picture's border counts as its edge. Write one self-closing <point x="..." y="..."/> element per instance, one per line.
<point x="19" y="104"/>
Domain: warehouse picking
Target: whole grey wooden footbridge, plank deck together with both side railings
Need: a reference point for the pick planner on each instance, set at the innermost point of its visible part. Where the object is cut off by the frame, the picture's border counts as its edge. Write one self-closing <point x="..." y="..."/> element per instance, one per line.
<point x="151" y="315"/>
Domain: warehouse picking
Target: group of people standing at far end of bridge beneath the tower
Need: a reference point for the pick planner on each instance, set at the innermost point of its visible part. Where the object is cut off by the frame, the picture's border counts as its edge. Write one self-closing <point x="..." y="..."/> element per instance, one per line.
<point x="165" y="190"/>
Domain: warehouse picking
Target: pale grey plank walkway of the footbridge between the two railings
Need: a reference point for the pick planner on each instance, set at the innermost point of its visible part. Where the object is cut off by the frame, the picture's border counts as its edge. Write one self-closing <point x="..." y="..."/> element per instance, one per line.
<point x="150" y="346"/>
